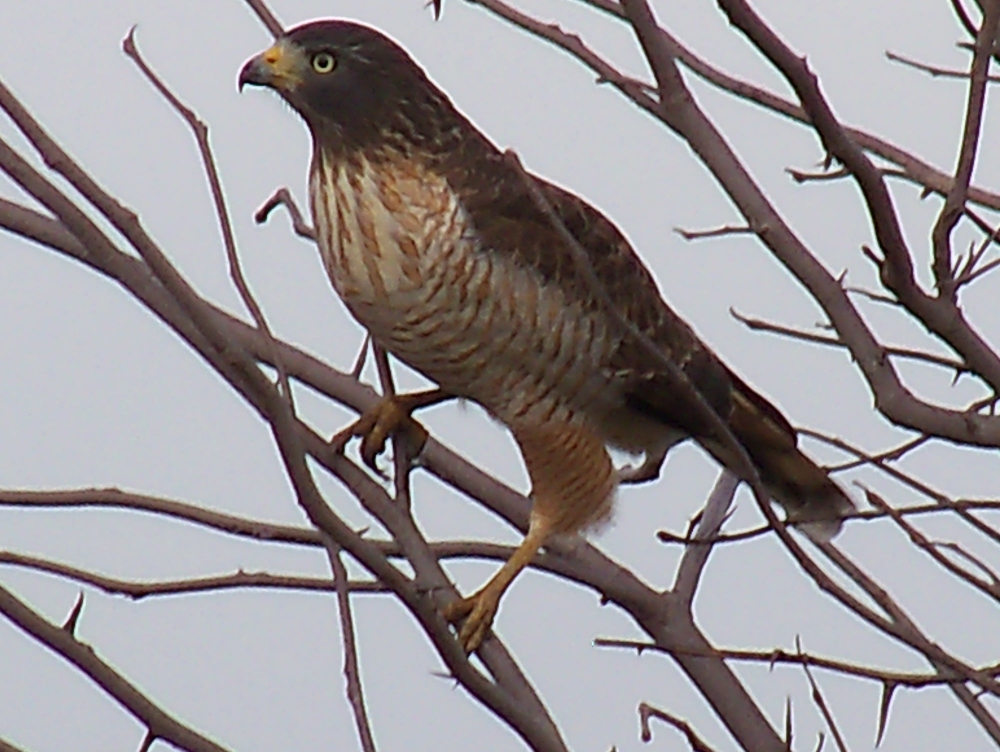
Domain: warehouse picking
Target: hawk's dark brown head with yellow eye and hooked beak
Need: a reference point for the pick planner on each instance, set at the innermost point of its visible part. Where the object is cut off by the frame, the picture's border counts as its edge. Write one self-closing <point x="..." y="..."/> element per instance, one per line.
<point x="353" y="85"/>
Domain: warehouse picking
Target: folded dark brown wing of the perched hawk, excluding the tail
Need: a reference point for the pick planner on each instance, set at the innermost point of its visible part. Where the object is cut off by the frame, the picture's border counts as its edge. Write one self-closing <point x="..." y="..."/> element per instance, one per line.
<point x="509" y="221"/>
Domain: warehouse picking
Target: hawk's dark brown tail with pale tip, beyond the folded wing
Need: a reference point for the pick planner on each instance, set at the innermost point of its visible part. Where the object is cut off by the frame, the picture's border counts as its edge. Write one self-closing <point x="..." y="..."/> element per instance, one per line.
<point x="811" y="499"/>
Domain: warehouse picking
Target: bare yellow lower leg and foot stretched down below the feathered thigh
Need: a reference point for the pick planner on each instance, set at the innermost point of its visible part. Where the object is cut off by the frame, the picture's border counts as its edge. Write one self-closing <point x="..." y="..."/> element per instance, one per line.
<point x="478" y="610"/>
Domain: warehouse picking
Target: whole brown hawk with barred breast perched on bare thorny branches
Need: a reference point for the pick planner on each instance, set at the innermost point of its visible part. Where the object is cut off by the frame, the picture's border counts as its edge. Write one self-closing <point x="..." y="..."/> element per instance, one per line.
<point x="439" y="246"/>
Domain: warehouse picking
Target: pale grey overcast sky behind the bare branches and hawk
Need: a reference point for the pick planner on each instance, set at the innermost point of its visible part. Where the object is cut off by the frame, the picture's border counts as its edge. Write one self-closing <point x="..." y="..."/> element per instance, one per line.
<point x="95" y="392"/>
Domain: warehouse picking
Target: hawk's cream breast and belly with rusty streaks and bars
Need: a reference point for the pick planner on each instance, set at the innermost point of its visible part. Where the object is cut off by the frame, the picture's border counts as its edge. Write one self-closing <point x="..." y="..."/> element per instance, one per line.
<point x="404" y="256"/>
